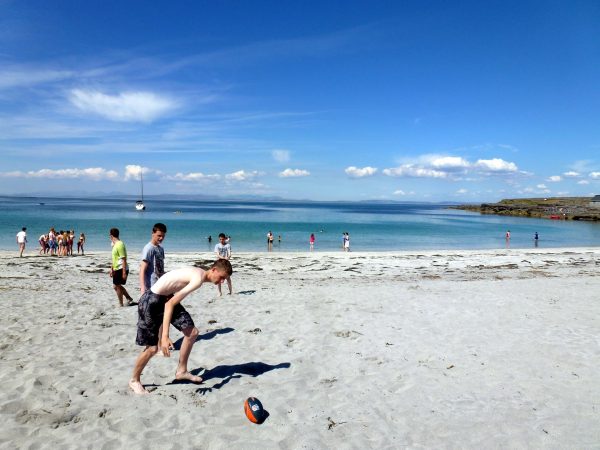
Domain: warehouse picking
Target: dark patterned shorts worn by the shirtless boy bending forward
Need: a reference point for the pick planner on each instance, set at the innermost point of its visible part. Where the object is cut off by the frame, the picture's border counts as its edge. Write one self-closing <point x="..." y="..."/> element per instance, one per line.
<point x="151" y="309"/>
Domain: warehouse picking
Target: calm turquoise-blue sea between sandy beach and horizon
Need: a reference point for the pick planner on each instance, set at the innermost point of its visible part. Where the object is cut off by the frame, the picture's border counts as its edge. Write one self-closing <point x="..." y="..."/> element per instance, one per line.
<point x="372" y="226"/>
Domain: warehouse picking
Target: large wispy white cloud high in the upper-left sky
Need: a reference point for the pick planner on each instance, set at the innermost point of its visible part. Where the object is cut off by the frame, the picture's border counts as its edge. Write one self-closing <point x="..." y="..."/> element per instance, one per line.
<point x="124" y="107"/>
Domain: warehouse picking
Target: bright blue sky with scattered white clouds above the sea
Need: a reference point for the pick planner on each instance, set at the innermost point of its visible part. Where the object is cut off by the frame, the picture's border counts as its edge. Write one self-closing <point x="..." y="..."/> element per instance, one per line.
<point x="465" y="101"/>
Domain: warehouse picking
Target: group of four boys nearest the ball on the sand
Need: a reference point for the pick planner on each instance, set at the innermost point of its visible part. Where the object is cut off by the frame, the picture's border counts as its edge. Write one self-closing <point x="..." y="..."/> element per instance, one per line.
<point x="161" y="293"/>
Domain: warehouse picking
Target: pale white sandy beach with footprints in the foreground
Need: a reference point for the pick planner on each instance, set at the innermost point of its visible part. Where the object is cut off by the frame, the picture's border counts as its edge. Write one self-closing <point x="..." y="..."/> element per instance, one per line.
<point x="453" y="349"/>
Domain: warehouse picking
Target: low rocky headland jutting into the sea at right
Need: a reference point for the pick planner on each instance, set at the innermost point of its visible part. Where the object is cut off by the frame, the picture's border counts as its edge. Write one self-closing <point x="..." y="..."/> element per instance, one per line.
<point x="564" y="208"/>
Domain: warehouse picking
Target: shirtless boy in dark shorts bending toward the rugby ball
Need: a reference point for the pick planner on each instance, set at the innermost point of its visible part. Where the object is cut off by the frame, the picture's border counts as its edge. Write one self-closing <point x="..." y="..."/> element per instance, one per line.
<point x="161" y="306"/>
